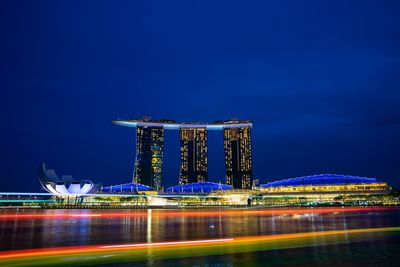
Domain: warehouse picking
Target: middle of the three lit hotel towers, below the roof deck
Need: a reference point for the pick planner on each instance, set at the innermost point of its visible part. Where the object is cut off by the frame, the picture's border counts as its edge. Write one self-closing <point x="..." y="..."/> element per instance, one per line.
<point x="194" y="165"/>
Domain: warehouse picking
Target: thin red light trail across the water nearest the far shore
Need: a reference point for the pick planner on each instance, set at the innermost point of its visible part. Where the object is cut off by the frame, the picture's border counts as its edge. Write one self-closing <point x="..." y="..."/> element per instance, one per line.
<point x="174" y="213"/>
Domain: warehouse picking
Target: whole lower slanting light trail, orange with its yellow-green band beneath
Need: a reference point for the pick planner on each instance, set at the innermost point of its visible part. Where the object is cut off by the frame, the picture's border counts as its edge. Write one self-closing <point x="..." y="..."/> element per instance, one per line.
<point x="181" y="248"/>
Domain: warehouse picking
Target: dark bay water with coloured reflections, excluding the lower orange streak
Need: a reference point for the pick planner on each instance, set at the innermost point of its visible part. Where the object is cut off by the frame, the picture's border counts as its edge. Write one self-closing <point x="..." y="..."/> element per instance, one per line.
<point x="27" y="229"/>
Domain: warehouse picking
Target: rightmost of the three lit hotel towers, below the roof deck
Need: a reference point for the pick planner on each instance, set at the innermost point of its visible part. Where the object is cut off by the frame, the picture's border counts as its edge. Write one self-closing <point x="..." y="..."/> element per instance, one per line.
<point x="237" y="146"/>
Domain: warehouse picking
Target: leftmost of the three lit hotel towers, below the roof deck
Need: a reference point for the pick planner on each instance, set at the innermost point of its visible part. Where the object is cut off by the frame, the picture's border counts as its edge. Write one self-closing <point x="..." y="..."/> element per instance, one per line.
<point x="149" y="156"/>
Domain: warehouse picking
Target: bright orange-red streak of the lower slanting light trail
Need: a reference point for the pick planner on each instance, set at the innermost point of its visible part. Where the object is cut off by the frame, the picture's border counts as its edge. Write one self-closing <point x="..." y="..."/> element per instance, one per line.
<point x="186" y="244"/>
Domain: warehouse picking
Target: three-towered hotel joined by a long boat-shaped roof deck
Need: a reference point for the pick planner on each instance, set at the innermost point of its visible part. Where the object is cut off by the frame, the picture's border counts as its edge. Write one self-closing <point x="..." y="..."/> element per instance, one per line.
<point x="193" y="151"/>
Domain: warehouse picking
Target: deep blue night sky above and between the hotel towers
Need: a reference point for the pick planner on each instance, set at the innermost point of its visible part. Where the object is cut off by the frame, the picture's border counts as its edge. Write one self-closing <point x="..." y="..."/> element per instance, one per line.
<point x="320" y="80"/>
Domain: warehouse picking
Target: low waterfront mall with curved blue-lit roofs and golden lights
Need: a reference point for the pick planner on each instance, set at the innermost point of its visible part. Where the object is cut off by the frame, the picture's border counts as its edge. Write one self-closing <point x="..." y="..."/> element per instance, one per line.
<point x="309" y="190"/>
